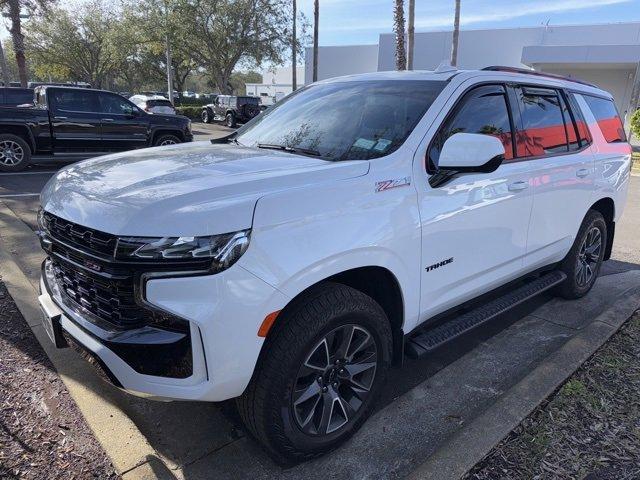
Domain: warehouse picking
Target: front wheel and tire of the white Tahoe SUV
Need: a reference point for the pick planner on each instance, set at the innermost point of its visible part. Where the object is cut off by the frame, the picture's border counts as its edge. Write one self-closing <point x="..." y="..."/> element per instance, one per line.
<point x="292" y="362"/>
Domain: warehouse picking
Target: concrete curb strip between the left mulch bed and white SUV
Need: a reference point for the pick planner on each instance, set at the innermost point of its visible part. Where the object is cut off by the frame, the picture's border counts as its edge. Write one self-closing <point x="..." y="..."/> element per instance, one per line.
<point x="125" y="445"/>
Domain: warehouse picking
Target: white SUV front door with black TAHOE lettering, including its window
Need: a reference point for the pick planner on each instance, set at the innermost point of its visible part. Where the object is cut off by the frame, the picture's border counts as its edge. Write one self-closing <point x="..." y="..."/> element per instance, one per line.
<point x="474" y="227"/>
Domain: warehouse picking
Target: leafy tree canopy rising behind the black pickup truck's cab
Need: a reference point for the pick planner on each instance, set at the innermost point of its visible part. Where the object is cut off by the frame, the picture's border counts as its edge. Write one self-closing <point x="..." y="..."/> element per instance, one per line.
<point x="88" y="45"/>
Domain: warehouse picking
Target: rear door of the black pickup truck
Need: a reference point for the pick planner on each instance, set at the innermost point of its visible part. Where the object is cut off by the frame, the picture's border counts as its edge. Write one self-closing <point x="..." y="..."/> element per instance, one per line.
<point x="75" y="121"/>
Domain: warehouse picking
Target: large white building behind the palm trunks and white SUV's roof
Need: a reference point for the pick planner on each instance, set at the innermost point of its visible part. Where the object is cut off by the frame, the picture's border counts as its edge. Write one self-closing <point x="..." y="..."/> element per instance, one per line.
<point x="607" y="55"/>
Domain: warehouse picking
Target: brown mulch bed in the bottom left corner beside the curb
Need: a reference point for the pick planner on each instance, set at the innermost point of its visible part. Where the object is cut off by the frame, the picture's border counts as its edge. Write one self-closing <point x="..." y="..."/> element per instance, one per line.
<point x="42" y="433"/>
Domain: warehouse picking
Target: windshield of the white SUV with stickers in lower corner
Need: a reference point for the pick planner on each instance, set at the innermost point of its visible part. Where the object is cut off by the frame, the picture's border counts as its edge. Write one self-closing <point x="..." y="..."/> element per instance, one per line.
<point x="344" y="120"/>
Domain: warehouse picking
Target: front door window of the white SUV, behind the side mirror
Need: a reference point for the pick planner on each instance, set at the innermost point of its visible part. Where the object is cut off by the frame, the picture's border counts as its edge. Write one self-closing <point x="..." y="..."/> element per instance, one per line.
<point x="481" y="110"/>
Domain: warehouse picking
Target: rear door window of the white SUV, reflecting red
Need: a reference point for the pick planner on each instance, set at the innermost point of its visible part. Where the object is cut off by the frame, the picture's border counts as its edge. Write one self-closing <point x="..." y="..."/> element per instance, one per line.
<point x="543" y="124"/>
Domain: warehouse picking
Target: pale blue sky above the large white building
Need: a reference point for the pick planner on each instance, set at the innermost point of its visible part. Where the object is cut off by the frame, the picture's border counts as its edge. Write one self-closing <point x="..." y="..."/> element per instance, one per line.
<point x="348" y="22"/>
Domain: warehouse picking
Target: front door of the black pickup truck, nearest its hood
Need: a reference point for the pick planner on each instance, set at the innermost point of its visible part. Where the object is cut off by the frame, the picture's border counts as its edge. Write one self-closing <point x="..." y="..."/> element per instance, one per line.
<point x="124" y="126"/>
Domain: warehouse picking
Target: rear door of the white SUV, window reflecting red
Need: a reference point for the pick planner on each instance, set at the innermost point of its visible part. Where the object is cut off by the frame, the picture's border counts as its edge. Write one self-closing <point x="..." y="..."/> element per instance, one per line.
<point x="563" y="185"/>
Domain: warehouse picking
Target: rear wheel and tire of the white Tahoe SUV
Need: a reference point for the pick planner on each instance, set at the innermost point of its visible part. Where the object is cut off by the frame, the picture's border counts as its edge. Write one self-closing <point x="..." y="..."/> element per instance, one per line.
<point x="582" y="263"/>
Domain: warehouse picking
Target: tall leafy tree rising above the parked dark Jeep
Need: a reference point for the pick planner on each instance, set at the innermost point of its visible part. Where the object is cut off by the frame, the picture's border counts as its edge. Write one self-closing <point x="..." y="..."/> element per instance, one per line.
<point x="221" y="34"/>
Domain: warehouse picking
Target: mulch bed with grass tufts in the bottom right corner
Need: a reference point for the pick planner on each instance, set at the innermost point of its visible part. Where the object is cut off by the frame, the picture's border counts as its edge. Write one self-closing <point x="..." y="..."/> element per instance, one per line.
<point x="589" y="429"/>
